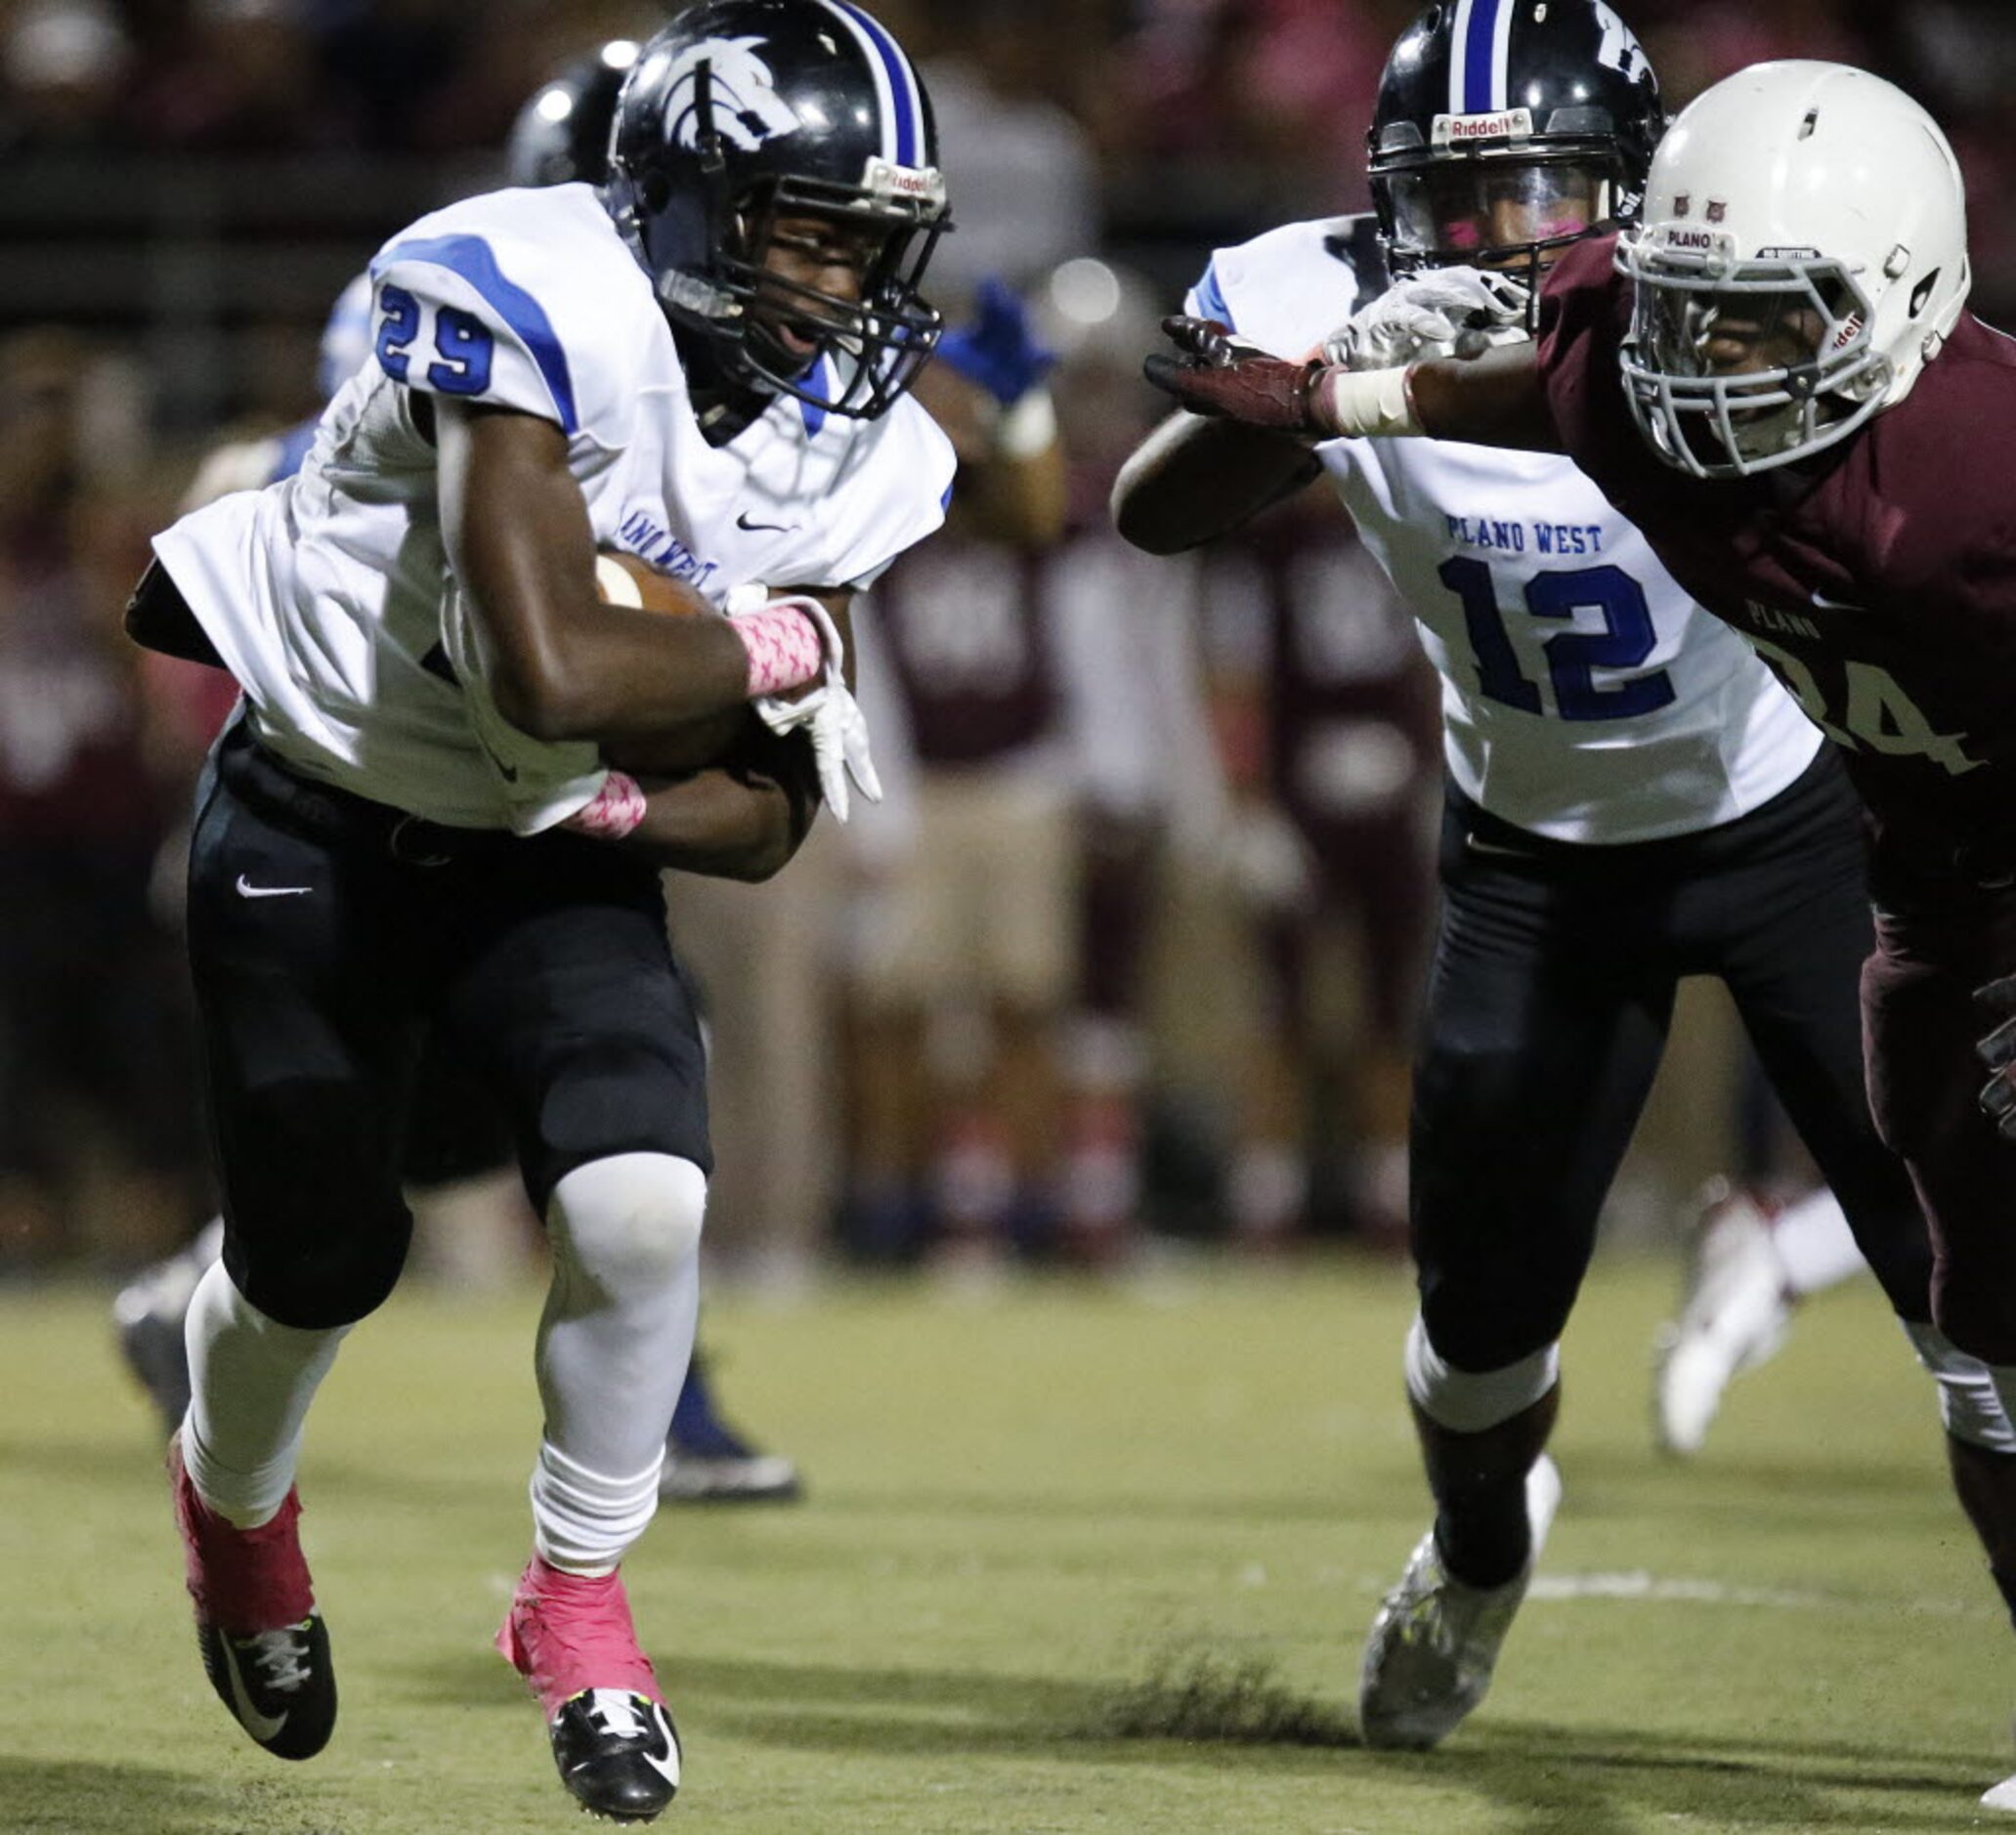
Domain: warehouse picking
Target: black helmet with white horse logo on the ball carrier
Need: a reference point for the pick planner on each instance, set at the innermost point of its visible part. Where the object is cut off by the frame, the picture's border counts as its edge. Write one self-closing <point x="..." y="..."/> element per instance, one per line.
<point x="753" y="114"/>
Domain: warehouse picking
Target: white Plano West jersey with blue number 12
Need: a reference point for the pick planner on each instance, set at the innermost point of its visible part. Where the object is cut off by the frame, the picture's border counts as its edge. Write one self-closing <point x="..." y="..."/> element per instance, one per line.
<point x="1586" y="697"/>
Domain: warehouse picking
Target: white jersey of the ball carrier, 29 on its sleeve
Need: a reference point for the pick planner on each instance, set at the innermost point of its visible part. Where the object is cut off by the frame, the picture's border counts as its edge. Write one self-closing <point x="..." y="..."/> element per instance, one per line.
<point x="332" y="598"/>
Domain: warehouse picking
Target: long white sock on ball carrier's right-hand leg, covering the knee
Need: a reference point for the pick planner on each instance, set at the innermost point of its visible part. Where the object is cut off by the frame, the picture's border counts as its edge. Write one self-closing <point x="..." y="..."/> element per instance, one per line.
<point x="614" y="1348"/>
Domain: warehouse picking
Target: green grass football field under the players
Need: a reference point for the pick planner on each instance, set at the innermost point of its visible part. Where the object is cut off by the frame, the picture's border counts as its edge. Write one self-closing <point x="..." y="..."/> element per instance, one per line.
<point x="1074" y="1560"/>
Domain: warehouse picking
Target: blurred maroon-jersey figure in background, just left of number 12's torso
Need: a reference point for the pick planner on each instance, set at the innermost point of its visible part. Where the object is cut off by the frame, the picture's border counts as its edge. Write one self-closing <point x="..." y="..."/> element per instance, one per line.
<point x="1334" y="739"/>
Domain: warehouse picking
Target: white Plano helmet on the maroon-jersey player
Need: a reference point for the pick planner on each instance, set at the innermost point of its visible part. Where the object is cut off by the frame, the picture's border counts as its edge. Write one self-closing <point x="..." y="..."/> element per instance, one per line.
<point x="1801" y="259"/>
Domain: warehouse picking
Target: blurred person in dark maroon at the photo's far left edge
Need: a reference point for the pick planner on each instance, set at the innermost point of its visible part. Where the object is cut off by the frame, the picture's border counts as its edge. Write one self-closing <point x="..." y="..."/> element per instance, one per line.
<point x="98" y="1128"/>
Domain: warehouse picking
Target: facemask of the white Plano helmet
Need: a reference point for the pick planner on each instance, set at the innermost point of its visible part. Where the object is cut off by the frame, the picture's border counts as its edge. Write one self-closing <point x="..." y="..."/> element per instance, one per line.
<point x="1737" y="368"/>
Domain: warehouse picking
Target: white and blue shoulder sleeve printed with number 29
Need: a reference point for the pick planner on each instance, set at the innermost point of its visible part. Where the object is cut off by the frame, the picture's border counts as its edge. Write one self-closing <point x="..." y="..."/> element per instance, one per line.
<point x="449" y="320"/>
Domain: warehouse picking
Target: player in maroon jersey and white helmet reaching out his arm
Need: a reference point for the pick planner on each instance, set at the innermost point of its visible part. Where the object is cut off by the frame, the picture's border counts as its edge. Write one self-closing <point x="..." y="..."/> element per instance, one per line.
<point x="1777" y="382"/>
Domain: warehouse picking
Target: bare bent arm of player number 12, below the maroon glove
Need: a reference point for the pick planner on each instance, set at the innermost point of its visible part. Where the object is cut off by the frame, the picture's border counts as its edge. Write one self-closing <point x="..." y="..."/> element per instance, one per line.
<point x="1196" y="479"/>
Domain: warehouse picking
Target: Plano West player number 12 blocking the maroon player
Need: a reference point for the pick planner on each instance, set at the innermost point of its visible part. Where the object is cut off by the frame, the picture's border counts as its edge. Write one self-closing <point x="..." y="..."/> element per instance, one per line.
<point x="1630" y="793"/>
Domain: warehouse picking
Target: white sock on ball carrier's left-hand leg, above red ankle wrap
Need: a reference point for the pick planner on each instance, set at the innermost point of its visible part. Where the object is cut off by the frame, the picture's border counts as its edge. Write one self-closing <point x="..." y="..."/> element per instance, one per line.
<point x="251" y="1384"/>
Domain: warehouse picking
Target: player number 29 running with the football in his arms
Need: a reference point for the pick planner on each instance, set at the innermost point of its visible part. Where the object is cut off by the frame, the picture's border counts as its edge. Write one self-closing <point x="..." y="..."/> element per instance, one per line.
<point x="424" y="824"/>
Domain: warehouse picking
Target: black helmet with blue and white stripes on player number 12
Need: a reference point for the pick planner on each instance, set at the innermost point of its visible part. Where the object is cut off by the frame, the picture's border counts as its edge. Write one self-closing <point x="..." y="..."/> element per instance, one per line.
<point x="1507" y="130"/>
